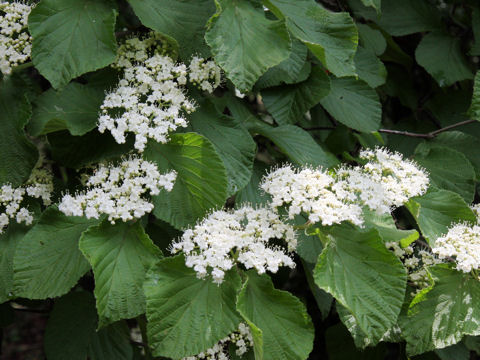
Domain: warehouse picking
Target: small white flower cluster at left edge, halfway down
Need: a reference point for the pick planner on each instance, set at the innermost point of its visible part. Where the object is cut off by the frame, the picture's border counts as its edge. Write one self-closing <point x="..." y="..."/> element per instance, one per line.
<point x="39" y="185"/>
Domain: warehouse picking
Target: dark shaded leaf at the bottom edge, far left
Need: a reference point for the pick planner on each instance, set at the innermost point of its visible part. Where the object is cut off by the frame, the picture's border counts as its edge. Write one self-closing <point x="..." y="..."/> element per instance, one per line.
<point x="70" y="327"/>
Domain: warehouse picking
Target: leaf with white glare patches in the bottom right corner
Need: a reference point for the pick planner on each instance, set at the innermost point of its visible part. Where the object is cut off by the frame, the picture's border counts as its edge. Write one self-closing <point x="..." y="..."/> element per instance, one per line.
<point x="442" y="316"/>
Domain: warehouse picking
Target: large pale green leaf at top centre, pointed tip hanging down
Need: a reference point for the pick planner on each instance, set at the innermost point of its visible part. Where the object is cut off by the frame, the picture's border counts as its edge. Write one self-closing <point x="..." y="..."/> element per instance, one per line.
<point x="236" y="33"/>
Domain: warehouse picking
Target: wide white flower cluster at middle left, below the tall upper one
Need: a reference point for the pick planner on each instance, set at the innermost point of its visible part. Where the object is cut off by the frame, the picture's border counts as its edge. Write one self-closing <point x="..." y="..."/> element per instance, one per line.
<point x="119" y="191"/>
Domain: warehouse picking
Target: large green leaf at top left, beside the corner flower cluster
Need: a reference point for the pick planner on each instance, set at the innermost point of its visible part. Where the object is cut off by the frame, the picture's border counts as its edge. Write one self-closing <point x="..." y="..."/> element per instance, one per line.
<point x="72" y="37"/>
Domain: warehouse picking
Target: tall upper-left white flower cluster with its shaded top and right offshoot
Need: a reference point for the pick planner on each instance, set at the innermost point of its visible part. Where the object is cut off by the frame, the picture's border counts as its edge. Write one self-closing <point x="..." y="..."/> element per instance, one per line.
<point x="150" y="99"/>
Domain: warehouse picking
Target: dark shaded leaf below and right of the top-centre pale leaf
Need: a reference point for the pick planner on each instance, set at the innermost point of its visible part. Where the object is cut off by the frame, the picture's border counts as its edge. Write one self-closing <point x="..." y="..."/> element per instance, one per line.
<point x="288" y="103"/>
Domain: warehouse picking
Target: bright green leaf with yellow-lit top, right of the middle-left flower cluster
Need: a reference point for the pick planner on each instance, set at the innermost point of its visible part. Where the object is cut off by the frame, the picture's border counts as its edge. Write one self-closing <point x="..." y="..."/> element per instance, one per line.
<point x="201" y="182"/>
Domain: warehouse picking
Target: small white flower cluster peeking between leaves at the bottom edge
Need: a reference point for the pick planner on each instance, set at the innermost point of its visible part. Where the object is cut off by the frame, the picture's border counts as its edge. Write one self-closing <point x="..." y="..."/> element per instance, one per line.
<point x="242" y="338"/>
